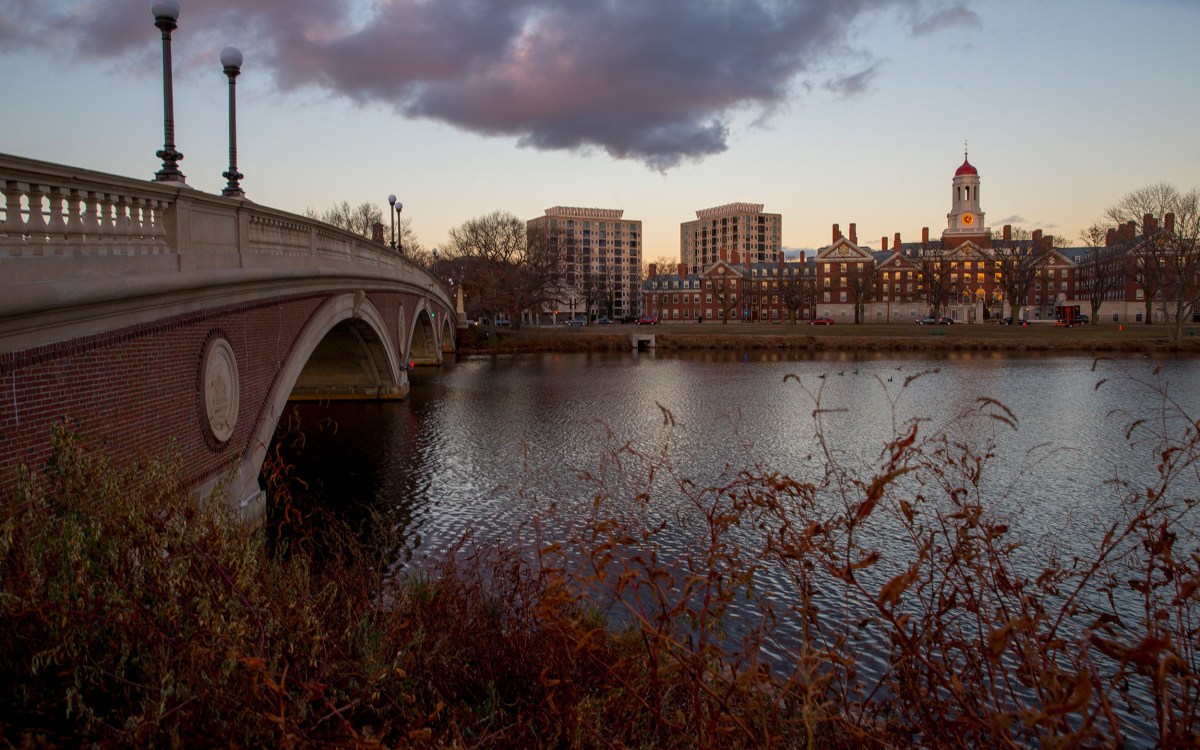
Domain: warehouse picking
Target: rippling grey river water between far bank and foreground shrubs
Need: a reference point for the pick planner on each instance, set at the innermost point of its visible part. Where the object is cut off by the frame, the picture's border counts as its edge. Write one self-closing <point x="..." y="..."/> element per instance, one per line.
<point x="485" y="443"/>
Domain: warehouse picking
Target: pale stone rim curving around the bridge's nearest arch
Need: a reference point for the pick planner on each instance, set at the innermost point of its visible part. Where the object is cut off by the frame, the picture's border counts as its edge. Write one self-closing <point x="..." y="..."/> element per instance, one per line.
<point x="350" y="313"/>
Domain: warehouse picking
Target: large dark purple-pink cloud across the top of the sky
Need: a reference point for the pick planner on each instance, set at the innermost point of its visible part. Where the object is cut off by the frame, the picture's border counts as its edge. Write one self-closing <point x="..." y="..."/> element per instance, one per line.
<point x="655" y="81"/>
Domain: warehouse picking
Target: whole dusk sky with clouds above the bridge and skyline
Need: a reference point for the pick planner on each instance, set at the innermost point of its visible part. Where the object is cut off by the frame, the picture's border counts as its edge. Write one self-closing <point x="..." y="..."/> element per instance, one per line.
<point x="824" y="111"/>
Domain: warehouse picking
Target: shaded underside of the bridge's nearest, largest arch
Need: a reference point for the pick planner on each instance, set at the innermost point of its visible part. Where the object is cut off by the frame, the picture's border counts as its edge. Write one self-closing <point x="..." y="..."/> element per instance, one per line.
<point x="351" y="363"/>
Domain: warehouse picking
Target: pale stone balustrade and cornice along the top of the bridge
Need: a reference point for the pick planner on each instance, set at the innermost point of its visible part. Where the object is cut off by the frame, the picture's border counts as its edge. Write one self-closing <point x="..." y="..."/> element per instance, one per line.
<point x="77" y="247"/>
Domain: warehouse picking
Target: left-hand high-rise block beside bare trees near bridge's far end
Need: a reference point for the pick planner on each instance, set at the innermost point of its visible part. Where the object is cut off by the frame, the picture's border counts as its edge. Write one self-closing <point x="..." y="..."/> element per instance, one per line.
<point x="596" y="262"/>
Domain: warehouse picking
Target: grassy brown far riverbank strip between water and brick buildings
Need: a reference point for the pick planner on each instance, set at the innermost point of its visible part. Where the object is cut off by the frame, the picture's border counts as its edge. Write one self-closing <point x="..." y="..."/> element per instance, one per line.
<point x="1093" y="340"/>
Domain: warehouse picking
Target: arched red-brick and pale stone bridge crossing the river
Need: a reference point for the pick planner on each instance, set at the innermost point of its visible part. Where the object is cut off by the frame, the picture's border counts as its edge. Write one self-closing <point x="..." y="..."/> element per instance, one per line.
<point x="149" y="315"/>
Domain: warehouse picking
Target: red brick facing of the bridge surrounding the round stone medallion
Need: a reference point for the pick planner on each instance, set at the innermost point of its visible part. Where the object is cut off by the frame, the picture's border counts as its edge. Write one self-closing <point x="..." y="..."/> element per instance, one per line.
<point x="136" y="392"/>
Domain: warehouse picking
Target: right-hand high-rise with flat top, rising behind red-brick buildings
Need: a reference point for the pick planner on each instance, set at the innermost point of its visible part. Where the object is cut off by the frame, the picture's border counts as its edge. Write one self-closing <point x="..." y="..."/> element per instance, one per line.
<point x="741" y="229"/>
